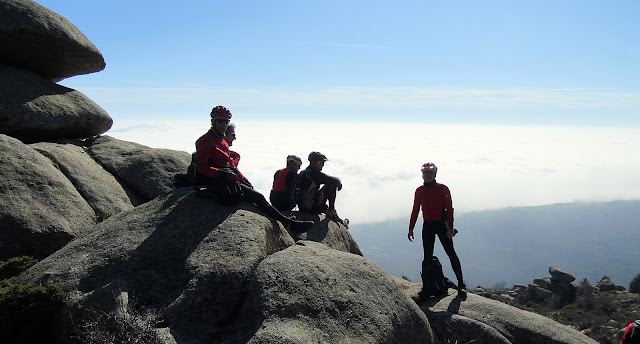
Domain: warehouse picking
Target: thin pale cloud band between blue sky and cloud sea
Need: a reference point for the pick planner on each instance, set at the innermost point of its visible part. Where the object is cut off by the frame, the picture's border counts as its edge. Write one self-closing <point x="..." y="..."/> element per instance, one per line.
<point x="192" y="100"/>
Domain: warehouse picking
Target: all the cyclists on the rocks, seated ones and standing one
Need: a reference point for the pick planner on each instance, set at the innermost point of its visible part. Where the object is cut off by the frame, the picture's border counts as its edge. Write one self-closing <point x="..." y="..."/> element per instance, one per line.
<point x="313" y="191"/>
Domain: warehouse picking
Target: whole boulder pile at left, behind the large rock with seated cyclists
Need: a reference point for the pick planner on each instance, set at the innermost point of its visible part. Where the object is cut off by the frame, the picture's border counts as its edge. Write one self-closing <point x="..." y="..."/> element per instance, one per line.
<point x="58" y="179"/>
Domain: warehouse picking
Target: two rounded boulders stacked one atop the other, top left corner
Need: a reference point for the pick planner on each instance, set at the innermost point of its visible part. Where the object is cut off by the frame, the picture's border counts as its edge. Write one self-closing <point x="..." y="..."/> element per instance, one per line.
<point x="39" y="48"/>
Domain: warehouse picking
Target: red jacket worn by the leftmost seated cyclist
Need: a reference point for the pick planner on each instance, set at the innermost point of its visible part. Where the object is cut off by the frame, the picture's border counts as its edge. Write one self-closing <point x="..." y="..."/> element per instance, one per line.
<point x="212" y="152"/>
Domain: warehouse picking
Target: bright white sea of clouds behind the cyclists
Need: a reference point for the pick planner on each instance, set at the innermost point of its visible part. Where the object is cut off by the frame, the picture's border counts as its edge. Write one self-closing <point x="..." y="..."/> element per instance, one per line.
<point x="486" y="167"/>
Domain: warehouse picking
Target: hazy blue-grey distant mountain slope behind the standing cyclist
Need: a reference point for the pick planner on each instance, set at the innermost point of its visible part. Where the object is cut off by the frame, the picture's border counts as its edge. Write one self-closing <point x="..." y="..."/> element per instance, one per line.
<point x="515" y="245"/>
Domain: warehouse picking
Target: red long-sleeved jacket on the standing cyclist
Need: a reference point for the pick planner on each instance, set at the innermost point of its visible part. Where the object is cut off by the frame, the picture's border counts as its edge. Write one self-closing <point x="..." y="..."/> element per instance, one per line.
<point x="434" y="200"/>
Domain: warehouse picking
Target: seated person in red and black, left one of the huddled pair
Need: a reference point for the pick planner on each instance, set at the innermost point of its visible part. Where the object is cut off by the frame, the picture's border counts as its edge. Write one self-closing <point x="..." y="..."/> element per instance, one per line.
<point x="281" y="196"/>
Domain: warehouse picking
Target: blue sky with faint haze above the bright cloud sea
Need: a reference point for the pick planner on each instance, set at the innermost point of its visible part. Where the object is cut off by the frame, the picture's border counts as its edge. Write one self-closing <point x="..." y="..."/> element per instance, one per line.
<point x="567" y="63"/>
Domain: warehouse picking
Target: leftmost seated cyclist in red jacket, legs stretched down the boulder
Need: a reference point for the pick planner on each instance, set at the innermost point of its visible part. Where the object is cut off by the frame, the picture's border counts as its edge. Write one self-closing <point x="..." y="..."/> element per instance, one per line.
<point x="216" y="171"/>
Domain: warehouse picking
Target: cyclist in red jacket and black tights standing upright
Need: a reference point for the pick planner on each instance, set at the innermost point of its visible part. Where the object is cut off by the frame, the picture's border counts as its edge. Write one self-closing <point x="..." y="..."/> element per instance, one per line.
<point x="437" y="212"/>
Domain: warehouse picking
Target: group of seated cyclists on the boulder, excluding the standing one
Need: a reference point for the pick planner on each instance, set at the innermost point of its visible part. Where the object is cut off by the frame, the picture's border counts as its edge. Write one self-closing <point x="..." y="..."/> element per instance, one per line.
<point x="217" y="170"/>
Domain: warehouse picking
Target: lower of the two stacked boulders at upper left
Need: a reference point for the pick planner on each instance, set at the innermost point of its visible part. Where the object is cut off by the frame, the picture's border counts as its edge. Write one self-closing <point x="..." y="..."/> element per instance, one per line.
<point x="33" y="109"/>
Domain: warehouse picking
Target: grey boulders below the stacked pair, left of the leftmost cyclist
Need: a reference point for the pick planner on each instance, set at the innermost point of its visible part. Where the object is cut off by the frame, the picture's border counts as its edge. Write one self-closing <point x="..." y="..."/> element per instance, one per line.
<point x="52" y="191"/>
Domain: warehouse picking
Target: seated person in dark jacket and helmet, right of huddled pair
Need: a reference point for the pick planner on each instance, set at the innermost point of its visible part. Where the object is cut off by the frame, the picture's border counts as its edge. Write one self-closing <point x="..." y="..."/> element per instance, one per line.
<point x="309" y="194"/>
